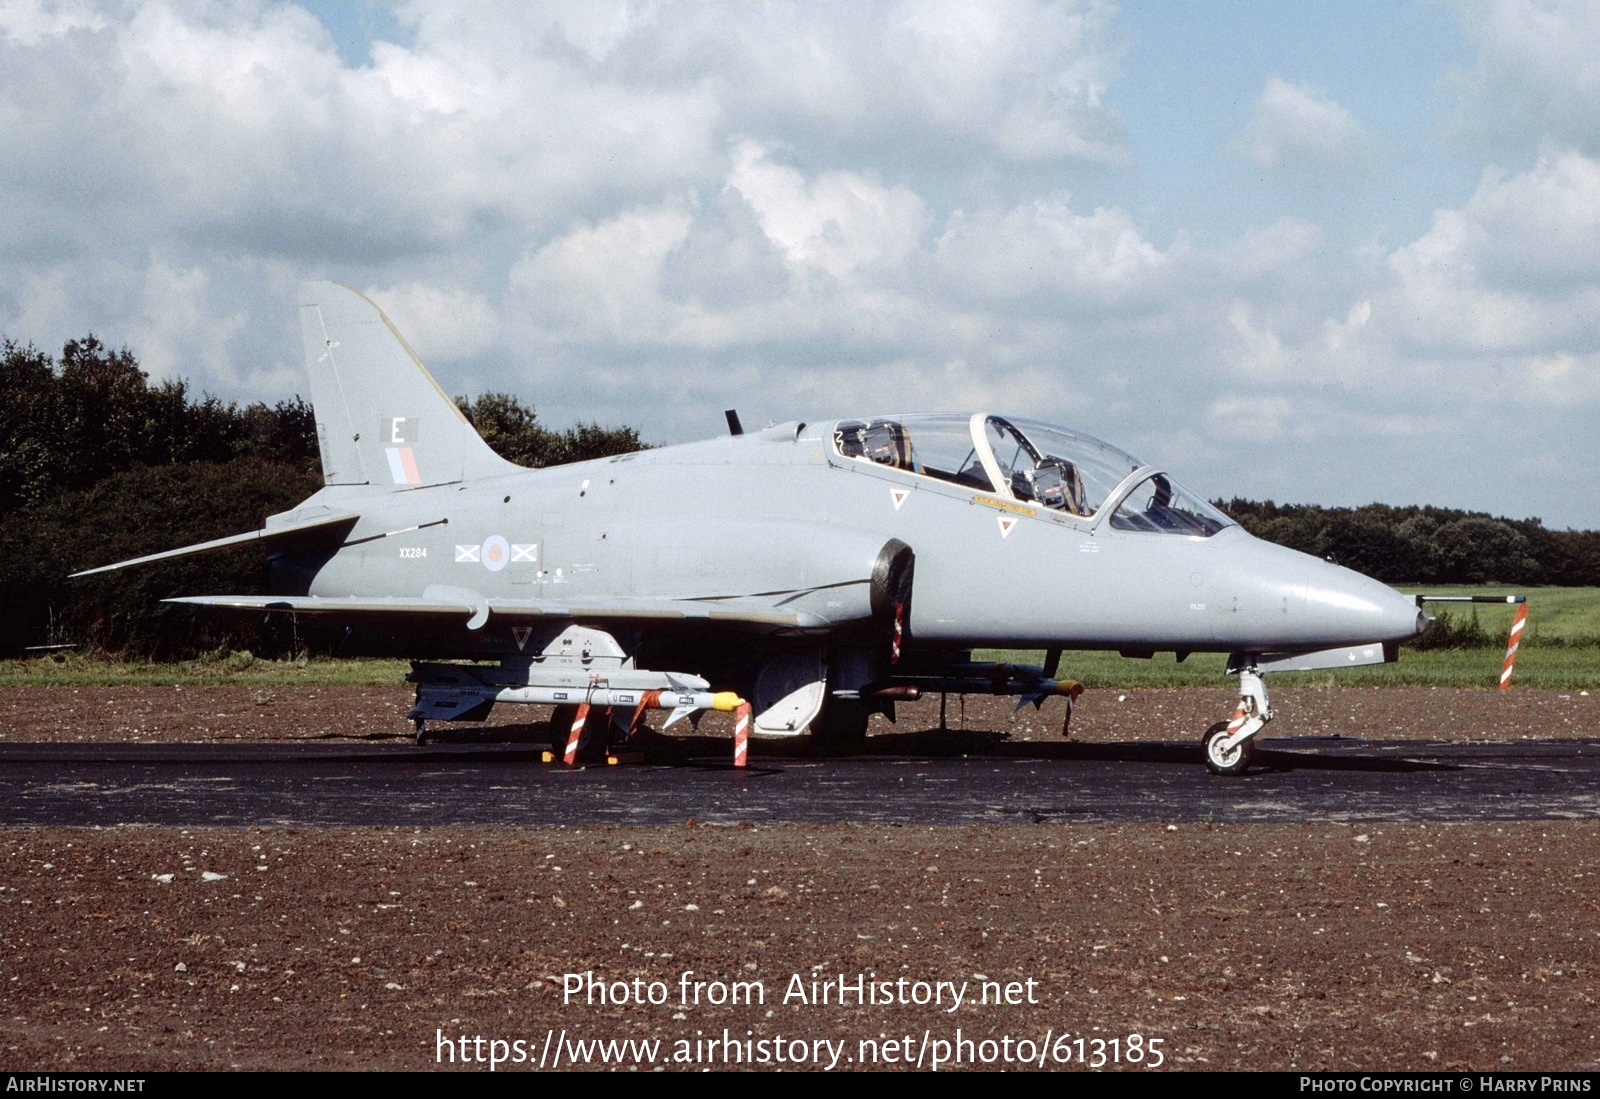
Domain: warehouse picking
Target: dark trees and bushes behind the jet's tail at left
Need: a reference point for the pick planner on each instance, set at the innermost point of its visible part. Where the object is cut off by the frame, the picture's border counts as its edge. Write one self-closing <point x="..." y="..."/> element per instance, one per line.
<point x="100" y="465"/>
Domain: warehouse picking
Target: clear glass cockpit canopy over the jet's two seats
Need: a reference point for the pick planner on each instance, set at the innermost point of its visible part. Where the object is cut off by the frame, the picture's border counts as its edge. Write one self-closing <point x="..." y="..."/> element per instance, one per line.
<point x="1031" y="463"/>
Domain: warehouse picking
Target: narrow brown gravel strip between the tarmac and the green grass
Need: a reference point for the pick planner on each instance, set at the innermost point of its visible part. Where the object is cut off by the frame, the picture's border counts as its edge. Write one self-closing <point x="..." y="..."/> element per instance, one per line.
<point x="154" y="714"/>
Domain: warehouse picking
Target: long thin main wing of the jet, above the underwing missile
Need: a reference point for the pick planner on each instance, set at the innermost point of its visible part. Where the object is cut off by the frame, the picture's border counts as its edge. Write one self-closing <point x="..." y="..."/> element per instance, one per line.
<point x="639" y="610"/>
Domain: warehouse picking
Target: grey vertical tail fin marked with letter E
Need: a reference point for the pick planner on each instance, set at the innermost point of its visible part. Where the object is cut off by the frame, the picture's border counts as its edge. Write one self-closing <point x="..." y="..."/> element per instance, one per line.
<point x="382" y="418"/>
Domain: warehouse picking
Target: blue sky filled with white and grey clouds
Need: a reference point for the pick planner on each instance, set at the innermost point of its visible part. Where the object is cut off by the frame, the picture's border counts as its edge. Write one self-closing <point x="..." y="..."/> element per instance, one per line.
<point x="1327" y="252"/>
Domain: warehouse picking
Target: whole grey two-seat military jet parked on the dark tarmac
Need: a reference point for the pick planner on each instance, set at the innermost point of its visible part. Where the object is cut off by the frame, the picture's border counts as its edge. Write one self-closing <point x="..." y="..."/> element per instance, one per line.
<point x="822" y="570"/>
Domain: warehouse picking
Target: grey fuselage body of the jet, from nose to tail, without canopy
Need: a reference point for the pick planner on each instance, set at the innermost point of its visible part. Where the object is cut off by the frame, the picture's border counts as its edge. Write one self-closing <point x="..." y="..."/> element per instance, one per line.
<point x="726" y="518"/>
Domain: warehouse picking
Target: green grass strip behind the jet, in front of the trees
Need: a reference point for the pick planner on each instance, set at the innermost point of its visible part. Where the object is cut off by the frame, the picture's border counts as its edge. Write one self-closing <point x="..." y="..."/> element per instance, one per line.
<point x="1562" y="652"/>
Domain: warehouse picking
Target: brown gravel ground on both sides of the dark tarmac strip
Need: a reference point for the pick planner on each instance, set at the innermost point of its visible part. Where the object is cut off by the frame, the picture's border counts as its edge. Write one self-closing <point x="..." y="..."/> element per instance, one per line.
<point x="1311" y="946"/>
